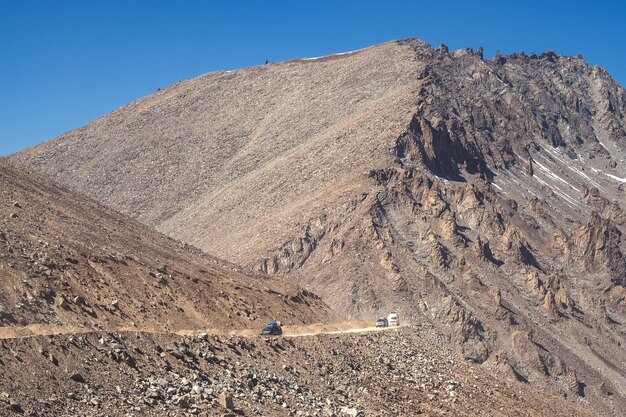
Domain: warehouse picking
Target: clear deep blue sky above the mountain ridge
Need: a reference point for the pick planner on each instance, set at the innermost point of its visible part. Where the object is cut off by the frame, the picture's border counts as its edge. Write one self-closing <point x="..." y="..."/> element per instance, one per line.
<point x="65" y="63"/>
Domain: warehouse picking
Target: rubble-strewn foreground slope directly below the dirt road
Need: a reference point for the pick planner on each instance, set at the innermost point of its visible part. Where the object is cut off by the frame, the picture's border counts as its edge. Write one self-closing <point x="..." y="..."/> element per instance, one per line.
<point x="393" y="373"/>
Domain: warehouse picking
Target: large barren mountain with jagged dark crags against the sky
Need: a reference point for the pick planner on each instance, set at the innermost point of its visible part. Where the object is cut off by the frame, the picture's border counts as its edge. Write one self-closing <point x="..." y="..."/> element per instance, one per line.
<point x="484" y="196"/>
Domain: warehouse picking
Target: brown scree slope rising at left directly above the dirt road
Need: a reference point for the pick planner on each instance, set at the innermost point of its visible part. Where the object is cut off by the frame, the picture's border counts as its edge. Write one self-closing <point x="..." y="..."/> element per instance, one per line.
<point x="68" y="264"/>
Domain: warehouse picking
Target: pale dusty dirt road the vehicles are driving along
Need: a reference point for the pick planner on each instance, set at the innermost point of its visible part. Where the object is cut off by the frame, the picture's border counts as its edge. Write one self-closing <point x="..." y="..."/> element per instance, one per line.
<point x="34" y="330"/>
